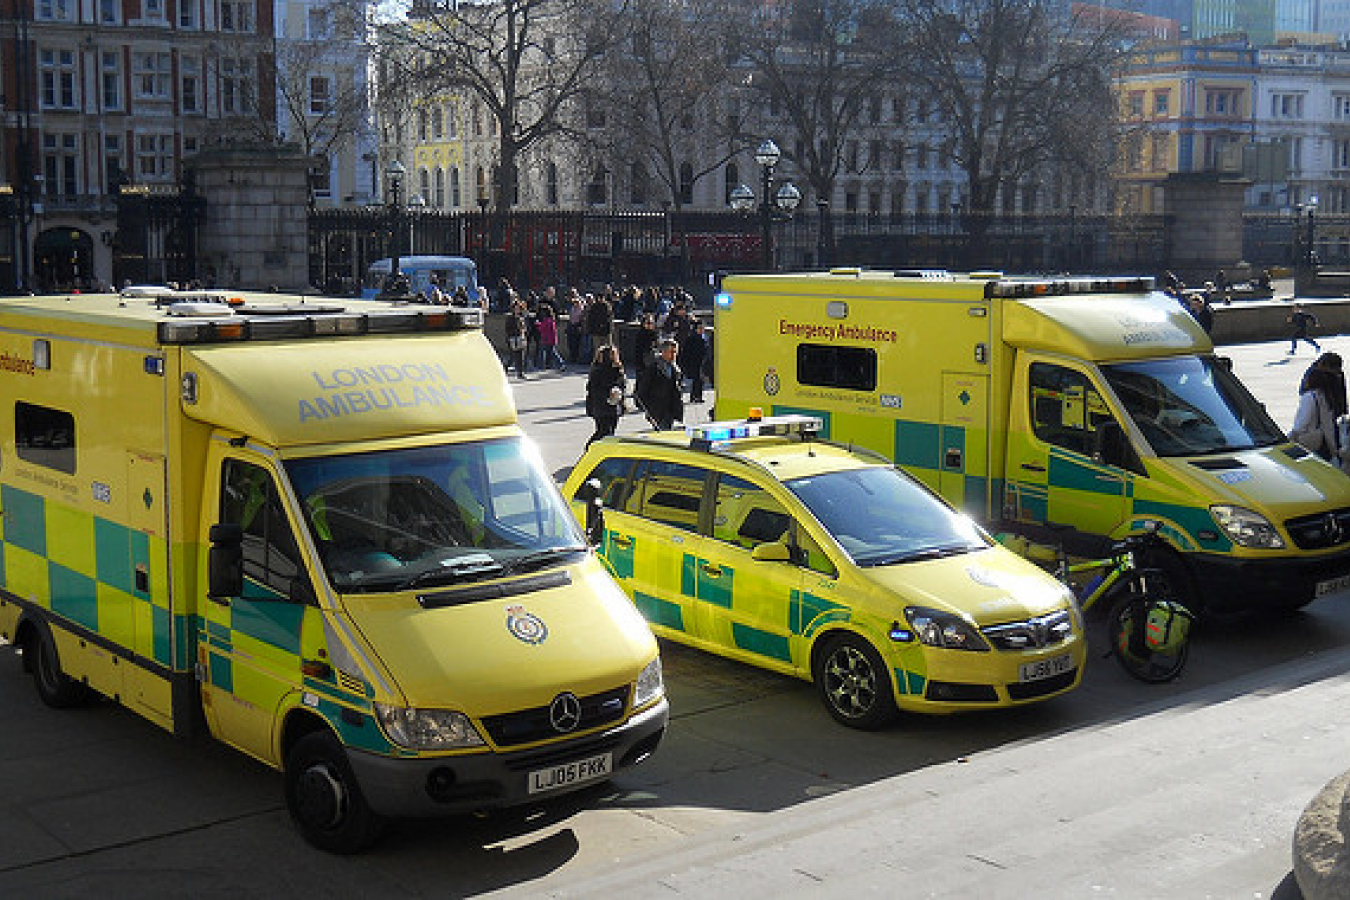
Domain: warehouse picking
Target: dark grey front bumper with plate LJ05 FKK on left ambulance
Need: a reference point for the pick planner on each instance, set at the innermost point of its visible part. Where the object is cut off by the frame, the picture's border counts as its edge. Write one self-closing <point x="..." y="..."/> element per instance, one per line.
<point x="445" y="786"/>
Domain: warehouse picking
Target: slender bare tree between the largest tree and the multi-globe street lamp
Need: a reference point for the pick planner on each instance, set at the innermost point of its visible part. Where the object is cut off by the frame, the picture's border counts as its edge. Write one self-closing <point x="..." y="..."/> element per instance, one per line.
<point x="664" y="84"/>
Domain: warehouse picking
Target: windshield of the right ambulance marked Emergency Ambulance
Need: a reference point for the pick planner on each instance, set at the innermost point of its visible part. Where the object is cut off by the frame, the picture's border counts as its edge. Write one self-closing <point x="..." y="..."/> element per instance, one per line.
<point x="1191" y="405"/>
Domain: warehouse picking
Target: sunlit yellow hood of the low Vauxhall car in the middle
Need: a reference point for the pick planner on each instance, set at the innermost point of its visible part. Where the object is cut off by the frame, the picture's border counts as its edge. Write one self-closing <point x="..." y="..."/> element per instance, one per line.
<point x="989" y="588"/>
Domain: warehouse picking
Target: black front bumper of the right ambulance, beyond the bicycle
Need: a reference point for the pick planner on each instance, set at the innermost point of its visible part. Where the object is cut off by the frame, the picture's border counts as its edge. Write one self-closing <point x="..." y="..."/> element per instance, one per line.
<point x="1228" y="585"/>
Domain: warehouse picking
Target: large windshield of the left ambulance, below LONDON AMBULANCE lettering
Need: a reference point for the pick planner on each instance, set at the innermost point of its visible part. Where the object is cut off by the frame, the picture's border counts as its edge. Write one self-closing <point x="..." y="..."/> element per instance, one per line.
<point x="416" y="517"/>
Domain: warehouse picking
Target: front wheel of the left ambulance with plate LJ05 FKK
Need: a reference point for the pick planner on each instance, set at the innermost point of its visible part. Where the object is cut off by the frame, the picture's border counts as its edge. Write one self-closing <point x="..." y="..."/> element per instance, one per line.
<point x="325" y="799"/>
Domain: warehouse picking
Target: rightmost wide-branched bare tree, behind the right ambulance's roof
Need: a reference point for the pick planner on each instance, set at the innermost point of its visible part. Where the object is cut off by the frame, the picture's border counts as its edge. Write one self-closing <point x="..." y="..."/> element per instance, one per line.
<point x="1019" y="86"/>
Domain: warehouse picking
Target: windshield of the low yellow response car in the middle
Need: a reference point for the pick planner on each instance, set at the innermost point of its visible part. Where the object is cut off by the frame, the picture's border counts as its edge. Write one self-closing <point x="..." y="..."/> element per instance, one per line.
<point x="881" y="517"/>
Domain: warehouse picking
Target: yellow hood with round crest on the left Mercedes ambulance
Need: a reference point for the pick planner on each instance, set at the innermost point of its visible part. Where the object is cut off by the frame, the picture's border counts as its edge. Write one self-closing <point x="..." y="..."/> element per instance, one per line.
<point x="565" y="629"/>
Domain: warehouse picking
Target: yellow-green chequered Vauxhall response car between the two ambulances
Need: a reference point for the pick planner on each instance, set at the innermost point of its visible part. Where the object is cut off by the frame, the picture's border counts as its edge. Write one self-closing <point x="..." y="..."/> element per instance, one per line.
<point x="759" y="542"/>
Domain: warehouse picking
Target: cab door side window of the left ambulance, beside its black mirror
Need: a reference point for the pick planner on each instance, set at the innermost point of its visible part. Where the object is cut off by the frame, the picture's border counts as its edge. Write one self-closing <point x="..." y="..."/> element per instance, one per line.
<point x="272" y="558"/>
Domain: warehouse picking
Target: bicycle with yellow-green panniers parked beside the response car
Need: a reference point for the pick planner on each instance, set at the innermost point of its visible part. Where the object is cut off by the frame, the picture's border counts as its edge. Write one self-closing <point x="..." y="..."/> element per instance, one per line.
<point x="1148" y="629"/>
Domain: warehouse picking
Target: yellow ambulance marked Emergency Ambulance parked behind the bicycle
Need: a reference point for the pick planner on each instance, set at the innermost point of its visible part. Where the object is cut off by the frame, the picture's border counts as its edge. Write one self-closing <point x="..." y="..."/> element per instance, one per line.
<point x="1087" y="403"/>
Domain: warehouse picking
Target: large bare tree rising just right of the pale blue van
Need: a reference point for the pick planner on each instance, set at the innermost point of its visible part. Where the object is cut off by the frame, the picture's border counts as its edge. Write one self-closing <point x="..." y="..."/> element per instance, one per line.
<point x="527" y="61"/>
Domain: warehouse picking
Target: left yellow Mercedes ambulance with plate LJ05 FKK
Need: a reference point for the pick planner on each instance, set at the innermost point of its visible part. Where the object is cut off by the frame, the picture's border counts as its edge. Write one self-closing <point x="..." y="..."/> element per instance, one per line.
<point x="318" y="526"/>
